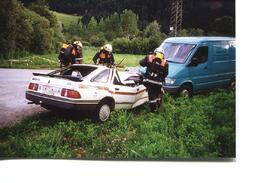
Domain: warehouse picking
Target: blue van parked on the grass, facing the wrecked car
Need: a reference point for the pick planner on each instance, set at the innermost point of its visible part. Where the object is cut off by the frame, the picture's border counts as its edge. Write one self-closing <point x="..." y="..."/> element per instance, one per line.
<point x="199" y="63"/>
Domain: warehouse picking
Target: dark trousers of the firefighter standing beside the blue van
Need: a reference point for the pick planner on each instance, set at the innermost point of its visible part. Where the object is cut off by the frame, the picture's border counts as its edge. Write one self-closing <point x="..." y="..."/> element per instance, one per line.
<point x="155" y="96"/>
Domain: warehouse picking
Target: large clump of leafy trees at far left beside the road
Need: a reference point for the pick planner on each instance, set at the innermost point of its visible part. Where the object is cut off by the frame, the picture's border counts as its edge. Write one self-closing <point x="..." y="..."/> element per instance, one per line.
<point x="32" y="29"/>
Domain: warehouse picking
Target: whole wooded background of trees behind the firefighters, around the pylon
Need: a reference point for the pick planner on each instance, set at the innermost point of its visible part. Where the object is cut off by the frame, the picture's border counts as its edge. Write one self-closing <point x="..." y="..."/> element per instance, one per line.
<point x="133" y="26"/>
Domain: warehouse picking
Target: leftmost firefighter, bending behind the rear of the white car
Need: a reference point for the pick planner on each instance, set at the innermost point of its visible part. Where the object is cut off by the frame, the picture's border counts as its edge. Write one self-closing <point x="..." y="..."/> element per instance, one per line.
<point x="70" y="54"/>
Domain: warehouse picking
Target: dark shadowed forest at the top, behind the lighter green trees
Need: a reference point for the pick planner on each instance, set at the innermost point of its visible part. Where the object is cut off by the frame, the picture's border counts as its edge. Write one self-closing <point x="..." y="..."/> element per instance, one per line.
<point x="196" y="13"/>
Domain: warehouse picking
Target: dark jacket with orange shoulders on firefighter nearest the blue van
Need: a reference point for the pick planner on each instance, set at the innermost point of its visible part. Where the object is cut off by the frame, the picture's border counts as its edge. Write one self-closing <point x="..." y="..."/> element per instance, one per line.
<point x="156" y="69"/>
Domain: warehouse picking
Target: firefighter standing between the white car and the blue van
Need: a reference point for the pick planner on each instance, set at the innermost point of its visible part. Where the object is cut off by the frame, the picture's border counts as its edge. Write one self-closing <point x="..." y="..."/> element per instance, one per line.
<point x="156" y="72"/>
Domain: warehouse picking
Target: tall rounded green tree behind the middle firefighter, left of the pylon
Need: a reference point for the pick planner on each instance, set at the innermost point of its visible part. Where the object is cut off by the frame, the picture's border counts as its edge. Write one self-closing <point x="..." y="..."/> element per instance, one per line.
<point x="129" y="23"/>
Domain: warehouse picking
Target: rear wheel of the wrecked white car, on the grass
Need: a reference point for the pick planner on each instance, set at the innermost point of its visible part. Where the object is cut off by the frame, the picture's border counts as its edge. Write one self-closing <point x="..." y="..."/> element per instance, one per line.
<point x="103" y="111"/>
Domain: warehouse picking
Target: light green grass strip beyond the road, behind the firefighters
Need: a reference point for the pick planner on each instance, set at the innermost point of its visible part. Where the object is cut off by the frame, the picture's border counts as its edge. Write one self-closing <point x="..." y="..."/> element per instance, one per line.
<point x="50" y="61"/>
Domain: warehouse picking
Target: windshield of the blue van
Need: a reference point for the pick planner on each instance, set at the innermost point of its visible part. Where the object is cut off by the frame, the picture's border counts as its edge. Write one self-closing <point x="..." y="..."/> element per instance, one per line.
<point x="177" y="52"/>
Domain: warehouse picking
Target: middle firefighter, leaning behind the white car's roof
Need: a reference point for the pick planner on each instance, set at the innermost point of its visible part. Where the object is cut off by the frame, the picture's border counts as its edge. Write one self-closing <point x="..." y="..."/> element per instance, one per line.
<point x="104" y="56"/>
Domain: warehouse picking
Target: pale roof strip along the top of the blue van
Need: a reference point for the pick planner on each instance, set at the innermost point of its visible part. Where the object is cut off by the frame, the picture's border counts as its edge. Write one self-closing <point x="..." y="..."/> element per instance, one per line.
<point x="195" y="40"/>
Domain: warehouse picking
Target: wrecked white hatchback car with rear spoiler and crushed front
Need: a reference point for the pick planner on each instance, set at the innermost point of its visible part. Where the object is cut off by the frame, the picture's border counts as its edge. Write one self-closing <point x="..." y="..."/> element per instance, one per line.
<point x="87" y="87"/>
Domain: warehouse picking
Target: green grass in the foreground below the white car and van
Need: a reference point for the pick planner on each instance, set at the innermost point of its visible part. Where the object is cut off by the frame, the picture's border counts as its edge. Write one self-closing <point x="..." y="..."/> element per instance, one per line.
<point x="200" y="127"/>
